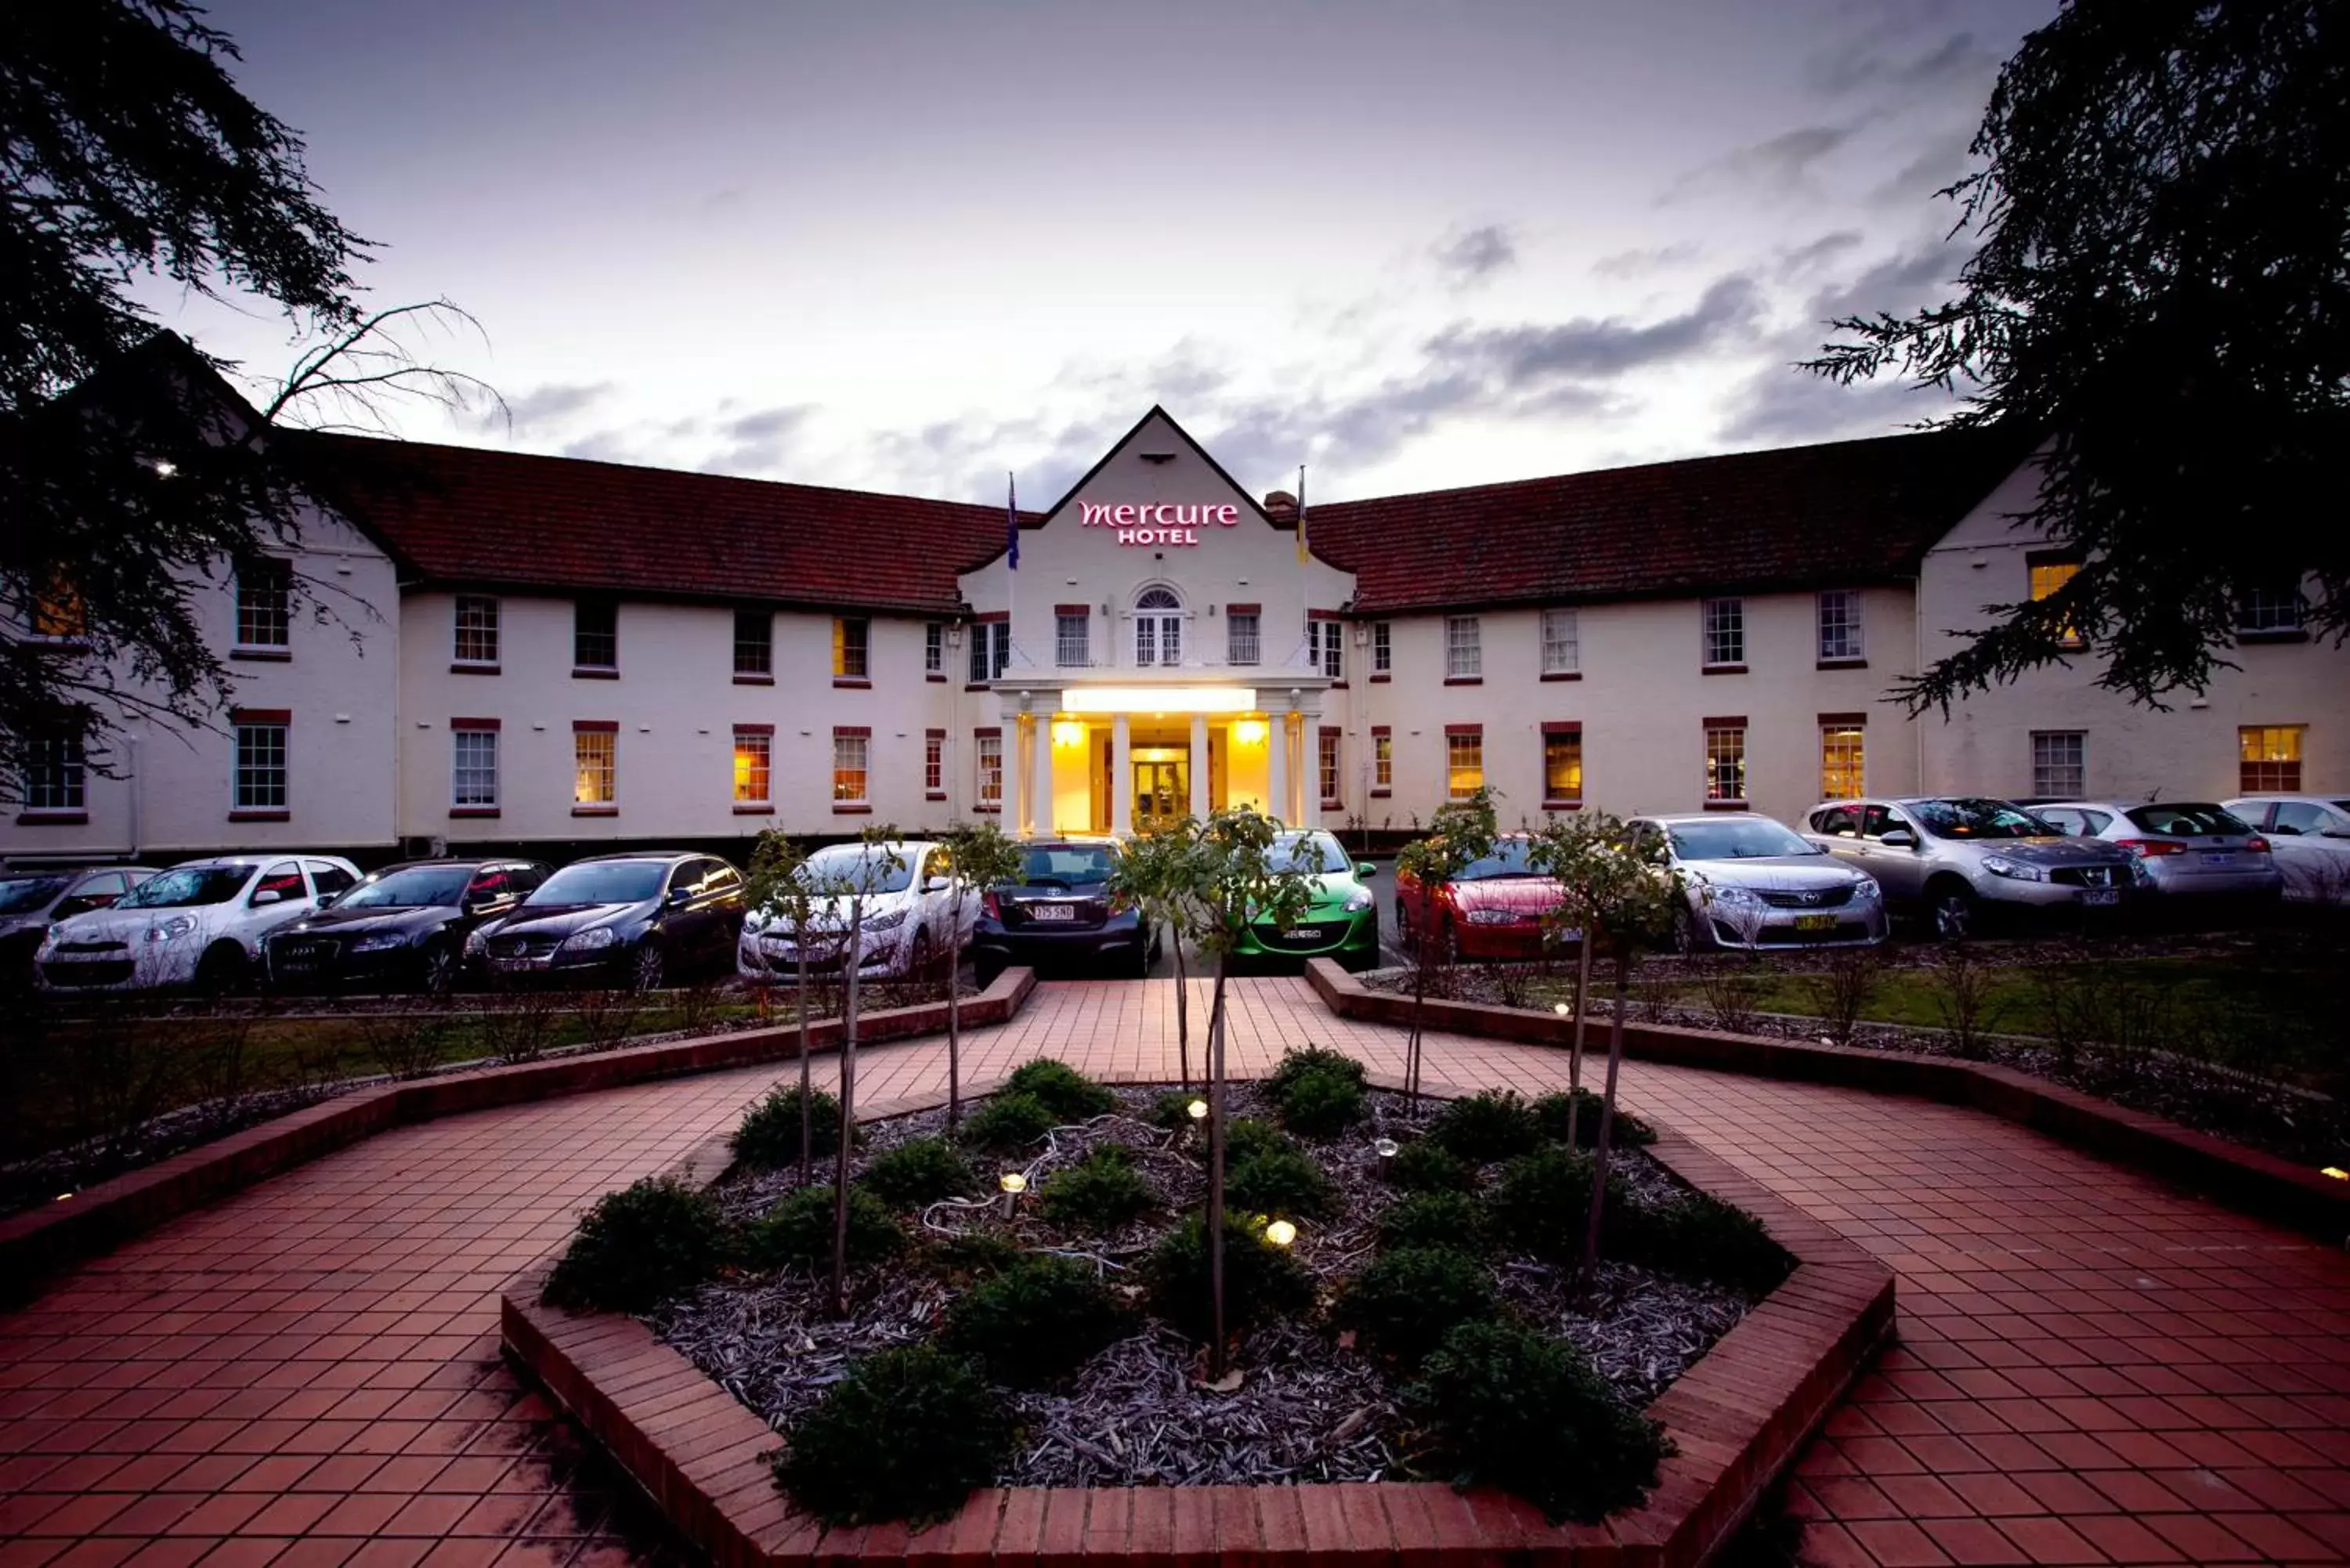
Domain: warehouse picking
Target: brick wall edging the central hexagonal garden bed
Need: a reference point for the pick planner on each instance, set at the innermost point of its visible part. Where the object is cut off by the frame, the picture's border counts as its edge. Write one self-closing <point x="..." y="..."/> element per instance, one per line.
<point x="1738" y="1419"/>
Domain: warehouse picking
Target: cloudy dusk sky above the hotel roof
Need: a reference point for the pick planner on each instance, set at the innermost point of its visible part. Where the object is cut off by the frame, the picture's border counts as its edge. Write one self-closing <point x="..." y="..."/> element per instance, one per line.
<point x="911" y="246"/>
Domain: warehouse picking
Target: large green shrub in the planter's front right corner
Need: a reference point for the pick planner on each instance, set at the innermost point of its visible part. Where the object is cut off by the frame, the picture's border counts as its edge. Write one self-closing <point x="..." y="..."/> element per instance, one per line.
<point x="1531" y="1416"/>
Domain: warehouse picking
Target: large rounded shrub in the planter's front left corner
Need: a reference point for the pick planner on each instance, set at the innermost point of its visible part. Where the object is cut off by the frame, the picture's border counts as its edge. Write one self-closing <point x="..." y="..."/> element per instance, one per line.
<point x="906" y="1435"/>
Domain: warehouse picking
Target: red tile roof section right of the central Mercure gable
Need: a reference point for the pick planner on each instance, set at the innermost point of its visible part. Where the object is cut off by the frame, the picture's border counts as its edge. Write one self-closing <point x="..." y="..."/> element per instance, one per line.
<point x="1747" y="523"/>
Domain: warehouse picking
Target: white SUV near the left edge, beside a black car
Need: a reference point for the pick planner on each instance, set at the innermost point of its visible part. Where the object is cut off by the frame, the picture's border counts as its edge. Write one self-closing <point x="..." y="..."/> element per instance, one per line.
<point x="194" y="925"/>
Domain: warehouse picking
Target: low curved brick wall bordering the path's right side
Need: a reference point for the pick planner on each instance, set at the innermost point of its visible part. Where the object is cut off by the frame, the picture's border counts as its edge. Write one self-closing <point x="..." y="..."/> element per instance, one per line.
<point x="2227" y="1172"/>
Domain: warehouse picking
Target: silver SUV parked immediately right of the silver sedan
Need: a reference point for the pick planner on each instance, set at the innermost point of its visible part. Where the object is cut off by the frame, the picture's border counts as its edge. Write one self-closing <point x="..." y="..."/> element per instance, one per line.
<point x="1956" y="859"/>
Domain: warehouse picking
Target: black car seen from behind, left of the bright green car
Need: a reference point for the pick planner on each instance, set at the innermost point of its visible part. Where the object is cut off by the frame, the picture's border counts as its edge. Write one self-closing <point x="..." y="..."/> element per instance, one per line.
<point x="1061" y="913"/>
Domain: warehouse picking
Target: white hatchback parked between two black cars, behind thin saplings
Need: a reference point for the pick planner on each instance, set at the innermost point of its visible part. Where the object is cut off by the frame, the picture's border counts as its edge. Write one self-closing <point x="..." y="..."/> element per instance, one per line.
<point x="911" y="918"/>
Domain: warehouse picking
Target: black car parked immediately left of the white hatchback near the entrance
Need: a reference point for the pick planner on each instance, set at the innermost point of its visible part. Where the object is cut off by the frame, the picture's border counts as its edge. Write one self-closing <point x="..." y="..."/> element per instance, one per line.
<point x="619" y="920"/>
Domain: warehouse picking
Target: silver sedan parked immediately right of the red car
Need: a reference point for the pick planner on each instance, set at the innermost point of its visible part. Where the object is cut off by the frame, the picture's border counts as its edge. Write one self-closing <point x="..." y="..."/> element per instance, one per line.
<point x="1752" y="883"/>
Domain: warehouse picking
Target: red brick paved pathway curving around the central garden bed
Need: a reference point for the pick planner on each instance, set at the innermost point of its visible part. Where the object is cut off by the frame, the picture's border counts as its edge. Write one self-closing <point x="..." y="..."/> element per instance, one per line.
<point x="2093" y="1369"/>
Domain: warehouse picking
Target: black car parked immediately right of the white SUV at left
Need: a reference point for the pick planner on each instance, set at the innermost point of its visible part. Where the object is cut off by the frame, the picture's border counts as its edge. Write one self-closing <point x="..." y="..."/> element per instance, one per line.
<point x="398" y="930"/>
